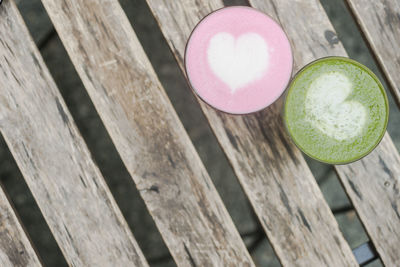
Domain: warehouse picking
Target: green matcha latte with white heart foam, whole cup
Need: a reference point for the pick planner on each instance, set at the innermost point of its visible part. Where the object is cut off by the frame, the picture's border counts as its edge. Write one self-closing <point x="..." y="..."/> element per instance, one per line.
<point x="336" y="110"/>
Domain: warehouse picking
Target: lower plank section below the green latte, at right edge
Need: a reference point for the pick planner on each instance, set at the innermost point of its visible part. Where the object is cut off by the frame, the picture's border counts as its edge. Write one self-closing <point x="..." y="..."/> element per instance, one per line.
<point x="373" y="185"/>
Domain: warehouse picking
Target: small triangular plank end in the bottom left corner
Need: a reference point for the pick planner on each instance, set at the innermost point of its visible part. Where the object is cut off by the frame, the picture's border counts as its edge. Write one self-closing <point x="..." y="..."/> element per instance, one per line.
<point x="15" y="247"/>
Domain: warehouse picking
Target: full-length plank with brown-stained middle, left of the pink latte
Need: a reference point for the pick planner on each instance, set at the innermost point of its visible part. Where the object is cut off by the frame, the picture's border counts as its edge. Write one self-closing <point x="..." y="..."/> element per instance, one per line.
<point x="147" y="133"/>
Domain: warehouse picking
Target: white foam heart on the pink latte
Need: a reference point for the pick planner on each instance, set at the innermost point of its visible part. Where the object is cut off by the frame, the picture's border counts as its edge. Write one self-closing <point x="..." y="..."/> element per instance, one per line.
<point x="238" y="61"/>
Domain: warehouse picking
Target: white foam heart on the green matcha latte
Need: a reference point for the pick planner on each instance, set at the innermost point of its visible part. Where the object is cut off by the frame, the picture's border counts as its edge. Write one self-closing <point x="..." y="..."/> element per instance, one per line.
<point x="329" y="111"/>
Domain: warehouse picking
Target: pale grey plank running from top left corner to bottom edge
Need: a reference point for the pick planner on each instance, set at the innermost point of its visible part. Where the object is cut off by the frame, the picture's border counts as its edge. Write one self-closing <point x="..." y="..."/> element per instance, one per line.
<point x="68" y="187"/>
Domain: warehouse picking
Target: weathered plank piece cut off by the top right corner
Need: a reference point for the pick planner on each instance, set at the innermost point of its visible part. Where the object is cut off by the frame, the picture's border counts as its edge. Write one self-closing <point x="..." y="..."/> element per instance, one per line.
<point x="380" y="23"/>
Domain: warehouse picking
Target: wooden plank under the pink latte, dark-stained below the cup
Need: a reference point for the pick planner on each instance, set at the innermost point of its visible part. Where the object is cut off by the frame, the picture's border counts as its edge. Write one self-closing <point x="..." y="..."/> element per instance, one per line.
<point x="272" y="171"/>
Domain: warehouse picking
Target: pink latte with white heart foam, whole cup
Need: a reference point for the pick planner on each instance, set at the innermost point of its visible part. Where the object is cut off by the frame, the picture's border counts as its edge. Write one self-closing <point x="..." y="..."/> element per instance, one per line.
<point x="238" y="60"/>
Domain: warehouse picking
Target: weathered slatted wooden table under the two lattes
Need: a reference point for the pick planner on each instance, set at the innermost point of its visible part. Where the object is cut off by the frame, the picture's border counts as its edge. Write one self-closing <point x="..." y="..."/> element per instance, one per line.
<point x="74" y="198"/>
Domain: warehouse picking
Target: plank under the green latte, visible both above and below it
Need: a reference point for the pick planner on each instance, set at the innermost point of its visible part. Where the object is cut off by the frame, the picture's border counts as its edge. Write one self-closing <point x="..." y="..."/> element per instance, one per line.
<point x="373" y="182"/>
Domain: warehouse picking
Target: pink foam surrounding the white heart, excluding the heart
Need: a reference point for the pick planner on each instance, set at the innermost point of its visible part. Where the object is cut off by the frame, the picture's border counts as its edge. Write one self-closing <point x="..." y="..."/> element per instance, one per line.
<point x="255" y="95"/>
